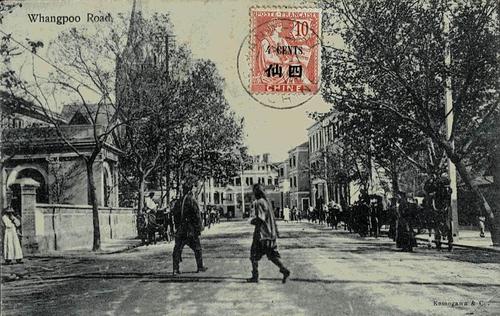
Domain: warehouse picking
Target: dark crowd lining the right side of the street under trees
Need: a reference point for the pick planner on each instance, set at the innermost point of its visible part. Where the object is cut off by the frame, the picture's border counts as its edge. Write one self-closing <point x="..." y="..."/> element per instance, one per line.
<point x="401" y="217"/>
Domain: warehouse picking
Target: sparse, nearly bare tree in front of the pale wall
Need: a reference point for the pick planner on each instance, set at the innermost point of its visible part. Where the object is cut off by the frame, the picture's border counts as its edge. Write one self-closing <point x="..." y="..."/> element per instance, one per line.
<point x="85" y="63"/>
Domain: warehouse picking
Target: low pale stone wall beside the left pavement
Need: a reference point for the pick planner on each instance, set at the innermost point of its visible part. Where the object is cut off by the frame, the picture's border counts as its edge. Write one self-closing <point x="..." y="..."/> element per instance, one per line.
<point x="68" y="227"/>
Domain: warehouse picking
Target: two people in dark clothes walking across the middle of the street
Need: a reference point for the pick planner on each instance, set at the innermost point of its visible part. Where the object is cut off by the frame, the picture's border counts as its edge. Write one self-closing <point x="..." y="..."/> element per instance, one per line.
<point x="189" y="225"/>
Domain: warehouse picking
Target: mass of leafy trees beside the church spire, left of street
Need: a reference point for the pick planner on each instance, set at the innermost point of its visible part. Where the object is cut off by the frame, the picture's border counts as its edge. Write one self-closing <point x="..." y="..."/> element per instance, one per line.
<point x="184" y="123"/>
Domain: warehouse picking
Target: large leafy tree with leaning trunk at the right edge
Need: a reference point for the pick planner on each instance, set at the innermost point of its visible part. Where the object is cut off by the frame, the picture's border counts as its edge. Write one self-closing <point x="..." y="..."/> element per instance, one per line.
<point x="393" y="62"/>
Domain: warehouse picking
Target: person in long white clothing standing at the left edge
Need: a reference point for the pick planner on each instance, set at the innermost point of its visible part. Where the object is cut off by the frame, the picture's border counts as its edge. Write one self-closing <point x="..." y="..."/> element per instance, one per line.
<point x="11" y="245"/>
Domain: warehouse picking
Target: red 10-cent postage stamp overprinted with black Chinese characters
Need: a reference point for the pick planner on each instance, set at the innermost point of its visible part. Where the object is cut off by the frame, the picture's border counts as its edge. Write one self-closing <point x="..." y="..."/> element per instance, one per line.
<point x="285" y="50"/>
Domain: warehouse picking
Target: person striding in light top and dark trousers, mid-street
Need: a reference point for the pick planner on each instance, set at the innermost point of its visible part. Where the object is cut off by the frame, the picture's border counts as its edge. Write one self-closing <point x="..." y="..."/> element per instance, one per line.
<point x="264" y="236"/>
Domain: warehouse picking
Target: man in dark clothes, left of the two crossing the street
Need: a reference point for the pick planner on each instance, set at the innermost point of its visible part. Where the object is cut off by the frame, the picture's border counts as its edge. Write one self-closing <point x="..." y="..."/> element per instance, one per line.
<point x="188" y="225"/>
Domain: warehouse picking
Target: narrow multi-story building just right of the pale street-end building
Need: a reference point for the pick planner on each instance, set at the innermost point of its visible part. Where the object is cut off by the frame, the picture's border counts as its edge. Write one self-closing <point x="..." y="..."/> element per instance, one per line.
<point x="298" y="176"/>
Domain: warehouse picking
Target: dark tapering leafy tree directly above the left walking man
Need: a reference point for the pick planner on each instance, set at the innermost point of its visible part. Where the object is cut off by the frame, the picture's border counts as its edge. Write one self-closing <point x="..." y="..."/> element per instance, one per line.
<point x="211" y="133"/>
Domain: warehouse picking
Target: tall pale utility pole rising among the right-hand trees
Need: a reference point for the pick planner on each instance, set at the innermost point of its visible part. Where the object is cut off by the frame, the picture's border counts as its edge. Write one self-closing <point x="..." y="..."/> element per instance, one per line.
<point x="452" y="172"/>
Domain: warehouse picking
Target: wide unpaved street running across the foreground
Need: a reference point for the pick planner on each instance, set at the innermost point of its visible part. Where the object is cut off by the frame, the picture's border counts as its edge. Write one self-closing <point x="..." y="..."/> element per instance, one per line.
<point x="333" y="273"/>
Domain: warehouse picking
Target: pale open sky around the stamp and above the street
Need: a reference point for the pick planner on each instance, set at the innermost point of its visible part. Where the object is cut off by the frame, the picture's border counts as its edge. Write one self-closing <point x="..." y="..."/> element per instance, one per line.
<point x="213" y="30"/>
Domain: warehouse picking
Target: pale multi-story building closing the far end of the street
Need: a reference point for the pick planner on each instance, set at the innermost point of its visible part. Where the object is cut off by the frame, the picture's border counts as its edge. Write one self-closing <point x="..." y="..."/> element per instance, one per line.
<point x="228" y="196"/>
